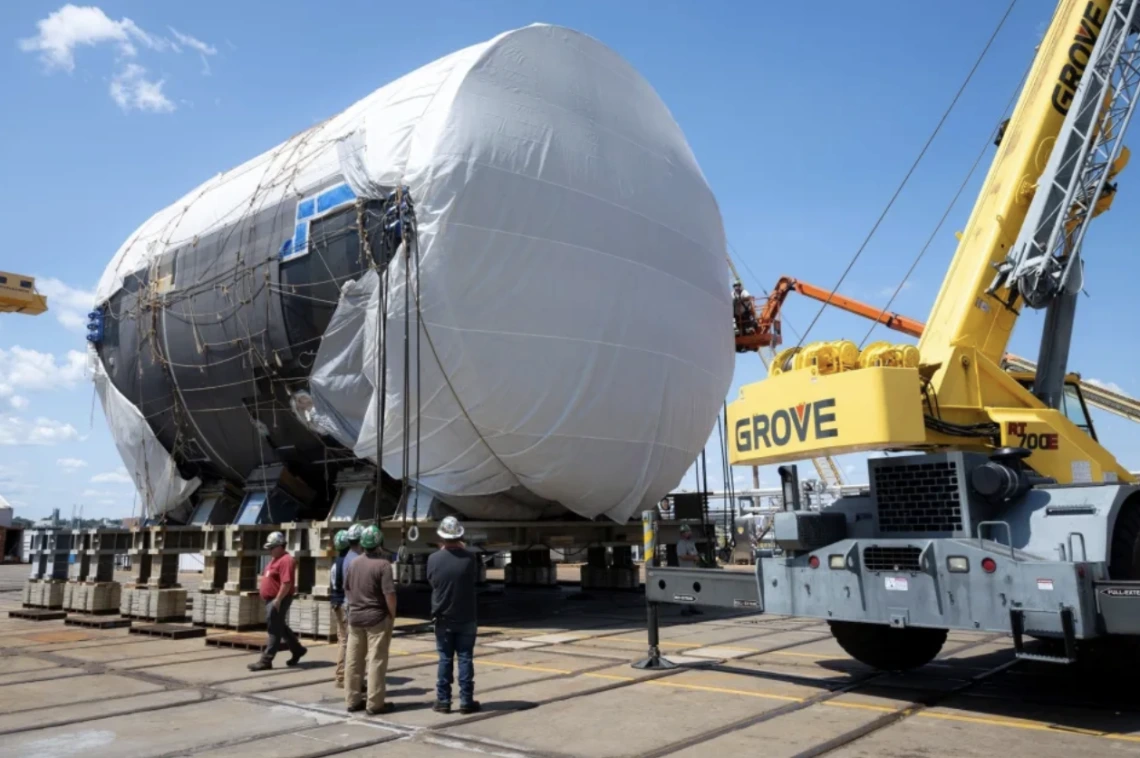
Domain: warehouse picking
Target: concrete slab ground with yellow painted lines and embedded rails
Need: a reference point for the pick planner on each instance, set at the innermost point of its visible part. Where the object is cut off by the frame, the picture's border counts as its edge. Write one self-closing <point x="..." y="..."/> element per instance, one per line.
<point x="555" y="678"/>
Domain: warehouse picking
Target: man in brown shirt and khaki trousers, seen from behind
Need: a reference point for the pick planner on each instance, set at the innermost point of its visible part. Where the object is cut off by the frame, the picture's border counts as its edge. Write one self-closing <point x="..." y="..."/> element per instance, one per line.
<point x="370" y="593"/>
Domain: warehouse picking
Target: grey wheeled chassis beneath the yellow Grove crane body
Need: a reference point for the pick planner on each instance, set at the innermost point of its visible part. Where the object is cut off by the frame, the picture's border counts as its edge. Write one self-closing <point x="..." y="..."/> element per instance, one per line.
<point x="891" y="589"/>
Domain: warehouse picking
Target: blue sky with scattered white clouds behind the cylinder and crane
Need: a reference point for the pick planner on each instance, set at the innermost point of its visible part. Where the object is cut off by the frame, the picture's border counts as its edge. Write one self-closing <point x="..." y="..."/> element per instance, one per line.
<point x="803" y="125"/>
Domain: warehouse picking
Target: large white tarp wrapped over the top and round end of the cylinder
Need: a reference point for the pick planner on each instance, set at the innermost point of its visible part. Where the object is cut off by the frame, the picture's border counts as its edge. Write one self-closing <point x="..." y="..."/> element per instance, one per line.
<point x="576" y="339"/>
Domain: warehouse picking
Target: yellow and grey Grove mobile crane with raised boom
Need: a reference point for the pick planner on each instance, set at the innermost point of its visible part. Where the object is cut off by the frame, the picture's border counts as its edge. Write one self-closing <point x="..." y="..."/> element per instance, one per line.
<point x="1001" y="515"/>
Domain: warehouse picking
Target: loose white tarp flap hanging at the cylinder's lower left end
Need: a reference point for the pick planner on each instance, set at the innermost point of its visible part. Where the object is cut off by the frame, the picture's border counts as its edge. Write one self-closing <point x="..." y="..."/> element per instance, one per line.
<point x="151" y="467"/>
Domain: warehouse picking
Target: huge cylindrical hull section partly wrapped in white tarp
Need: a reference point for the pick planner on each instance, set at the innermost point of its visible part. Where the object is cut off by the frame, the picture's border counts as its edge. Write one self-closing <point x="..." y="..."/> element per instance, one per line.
<point x="508" y="263"/>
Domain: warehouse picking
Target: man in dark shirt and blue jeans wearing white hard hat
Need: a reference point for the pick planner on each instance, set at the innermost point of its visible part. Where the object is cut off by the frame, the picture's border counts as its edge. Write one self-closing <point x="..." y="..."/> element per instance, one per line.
<point x="453" y="573"/>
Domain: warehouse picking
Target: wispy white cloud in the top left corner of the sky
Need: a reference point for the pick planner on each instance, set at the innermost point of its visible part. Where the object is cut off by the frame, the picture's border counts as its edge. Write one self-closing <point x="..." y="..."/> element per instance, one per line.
<point x="74" y="27"/>
